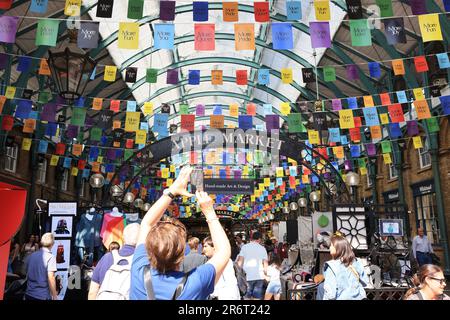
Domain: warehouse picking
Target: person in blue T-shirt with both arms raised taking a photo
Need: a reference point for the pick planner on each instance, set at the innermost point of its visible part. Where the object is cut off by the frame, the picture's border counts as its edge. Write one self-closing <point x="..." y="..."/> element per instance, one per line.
<point x="159" y="253"/>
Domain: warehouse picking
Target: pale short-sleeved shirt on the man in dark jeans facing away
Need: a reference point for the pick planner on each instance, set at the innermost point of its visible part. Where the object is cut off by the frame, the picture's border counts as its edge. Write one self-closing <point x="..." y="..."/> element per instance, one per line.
<point x="253" y="254"/>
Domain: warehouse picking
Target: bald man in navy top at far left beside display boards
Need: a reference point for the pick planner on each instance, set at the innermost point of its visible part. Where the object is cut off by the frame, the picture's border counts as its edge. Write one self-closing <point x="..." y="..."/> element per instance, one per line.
<point x="41" y="268"/>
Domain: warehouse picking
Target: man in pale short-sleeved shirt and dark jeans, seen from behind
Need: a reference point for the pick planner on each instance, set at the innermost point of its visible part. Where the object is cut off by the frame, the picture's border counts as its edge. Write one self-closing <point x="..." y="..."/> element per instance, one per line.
<point x="253" y="259"/>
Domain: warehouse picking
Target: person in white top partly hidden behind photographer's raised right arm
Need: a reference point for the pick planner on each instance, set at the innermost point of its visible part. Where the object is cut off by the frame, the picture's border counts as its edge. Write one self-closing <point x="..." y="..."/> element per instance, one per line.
<point x="227" y="286"/>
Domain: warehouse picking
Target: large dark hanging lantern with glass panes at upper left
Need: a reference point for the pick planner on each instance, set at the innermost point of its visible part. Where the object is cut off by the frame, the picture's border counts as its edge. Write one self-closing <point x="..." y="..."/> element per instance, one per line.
<point x="71" y="68"/>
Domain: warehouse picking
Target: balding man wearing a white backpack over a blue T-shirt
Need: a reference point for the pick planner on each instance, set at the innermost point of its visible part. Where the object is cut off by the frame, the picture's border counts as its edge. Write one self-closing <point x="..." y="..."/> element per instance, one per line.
<point x="111" y="277"/>
